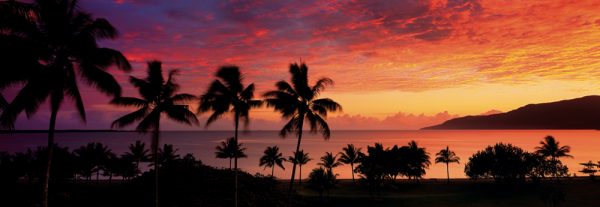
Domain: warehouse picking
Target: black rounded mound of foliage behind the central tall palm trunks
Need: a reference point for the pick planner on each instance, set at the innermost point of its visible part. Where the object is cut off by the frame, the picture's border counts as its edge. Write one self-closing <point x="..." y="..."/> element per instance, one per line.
<point x="189" y="183"/>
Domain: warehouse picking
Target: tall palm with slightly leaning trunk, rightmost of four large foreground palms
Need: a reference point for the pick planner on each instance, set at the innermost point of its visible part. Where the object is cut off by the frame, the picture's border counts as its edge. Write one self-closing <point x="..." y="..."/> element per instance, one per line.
<point x="299" y="102"/>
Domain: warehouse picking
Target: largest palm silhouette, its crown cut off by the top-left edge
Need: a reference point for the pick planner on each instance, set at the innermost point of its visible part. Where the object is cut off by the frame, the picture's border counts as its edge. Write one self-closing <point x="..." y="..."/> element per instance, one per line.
<point x="50" y="44"/>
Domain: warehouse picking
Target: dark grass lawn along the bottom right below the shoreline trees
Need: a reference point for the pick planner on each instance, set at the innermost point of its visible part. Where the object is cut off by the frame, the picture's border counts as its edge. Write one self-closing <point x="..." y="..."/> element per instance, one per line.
<point x="581" y="192"/>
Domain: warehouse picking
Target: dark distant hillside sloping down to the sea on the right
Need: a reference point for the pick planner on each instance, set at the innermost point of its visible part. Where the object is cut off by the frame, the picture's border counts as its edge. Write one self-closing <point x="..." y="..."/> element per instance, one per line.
<point x="579" y="113"/>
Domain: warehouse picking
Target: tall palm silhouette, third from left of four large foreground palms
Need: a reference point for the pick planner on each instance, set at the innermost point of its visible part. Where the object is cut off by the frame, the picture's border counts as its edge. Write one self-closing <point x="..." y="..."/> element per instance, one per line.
<point x="229" y="96"/>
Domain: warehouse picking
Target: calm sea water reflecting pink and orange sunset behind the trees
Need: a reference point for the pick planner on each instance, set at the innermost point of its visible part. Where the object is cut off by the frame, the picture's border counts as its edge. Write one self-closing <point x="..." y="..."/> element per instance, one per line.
<point x="202" y="144"/>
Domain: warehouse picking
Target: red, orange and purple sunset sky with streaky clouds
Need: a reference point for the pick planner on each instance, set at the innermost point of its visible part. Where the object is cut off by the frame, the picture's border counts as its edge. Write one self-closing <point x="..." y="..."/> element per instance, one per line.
<point x="395" y="64"/>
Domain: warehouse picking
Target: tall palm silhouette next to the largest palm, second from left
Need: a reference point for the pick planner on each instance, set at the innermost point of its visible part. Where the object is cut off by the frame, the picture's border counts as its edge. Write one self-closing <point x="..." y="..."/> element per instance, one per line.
<point x="158" y="97"/>
